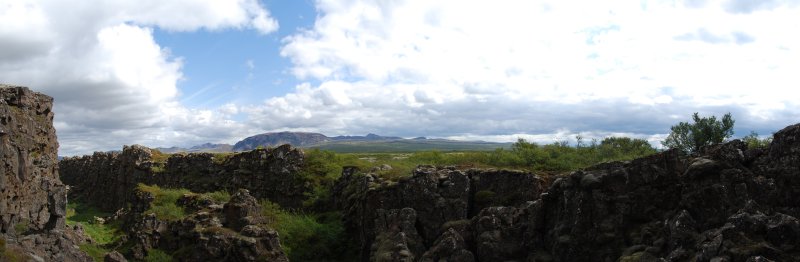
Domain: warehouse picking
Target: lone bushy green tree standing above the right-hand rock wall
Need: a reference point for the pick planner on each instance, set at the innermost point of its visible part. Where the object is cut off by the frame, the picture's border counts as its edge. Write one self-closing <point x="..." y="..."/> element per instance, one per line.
<point x="705" y="131"/>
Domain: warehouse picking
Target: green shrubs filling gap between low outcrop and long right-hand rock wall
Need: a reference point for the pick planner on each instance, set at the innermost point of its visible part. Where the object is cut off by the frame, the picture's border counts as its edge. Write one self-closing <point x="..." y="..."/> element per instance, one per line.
<point x="309" y="237"/>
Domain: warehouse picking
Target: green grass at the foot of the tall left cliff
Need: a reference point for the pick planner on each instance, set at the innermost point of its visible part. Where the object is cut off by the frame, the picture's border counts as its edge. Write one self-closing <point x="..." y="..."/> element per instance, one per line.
<point x="104" y="235"/>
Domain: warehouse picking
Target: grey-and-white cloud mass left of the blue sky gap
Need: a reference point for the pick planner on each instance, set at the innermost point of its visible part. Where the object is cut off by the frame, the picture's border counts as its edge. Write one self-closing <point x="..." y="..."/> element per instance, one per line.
<point x="112" y="83"/>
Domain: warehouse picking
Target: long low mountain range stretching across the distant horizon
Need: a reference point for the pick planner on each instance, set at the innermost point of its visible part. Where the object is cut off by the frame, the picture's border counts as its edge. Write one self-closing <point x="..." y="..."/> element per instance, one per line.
<point x="343" y="144"/>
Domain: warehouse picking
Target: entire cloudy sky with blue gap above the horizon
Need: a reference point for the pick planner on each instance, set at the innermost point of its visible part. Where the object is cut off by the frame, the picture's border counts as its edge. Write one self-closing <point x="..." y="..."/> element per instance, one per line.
<point x="186" y="72"/>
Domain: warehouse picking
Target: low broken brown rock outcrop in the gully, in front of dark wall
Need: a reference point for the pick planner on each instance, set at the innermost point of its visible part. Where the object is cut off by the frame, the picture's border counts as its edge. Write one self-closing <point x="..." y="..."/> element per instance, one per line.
<point x="212" y="232"/>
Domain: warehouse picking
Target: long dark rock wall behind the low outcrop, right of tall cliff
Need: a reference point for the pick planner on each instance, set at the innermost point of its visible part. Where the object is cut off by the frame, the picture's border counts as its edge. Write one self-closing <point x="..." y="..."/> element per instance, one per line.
<point x="107" y="180"/>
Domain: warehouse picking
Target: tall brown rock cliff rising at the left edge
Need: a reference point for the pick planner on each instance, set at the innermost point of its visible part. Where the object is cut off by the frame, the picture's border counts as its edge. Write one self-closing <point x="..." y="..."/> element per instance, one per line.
<point x="32" y="198"/>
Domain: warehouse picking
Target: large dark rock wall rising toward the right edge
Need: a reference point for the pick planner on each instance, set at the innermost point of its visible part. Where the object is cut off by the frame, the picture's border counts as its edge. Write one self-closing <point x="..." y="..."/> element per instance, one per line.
<point x="727" y="203"/>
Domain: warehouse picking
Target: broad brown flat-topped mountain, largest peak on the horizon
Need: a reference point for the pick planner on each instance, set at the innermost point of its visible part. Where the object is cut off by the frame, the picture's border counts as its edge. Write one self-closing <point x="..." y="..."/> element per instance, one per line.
<point x="297" y="139"/>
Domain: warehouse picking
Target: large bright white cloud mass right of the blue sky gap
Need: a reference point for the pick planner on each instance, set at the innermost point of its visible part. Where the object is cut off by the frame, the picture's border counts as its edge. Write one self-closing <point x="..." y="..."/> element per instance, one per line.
<point x="479" y="69"/>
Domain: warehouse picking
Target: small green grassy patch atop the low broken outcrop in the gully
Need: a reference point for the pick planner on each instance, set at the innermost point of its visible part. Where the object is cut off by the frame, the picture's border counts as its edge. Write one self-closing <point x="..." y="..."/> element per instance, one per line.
<point x="164" y="205"/>
